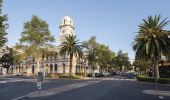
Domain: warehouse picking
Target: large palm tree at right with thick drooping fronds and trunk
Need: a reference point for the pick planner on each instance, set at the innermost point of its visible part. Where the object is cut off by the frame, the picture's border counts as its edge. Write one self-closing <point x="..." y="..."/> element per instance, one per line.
<point x="152" y="41"/>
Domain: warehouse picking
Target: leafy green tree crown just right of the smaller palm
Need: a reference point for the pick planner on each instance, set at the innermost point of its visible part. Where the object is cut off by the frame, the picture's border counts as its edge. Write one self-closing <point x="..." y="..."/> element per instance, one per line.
<point x="98" y="54"/>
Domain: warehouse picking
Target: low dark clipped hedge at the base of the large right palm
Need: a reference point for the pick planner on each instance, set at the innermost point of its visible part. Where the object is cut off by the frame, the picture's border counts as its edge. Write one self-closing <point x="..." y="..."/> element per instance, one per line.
<point x="153" y="80"/>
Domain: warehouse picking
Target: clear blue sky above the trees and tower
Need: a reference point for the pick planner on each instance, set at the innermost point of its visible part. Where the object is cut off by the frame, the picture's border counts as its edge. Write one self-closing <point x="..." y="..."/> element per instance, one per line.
<point x="113" y="22"/>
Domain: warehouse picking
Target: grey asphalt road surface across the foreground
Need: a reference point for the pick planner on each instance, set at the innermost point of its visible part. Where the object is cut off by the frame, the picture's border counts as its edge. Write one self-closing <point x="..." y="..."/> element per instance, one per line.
<point x="101" y="90"/>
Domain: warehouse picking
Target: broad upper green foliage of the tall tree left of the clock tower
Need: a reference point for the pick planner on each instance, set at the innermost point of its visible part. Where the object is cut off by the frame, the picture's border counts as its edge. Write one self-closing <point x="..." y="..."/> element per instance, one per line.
<point x="36" y="33"/>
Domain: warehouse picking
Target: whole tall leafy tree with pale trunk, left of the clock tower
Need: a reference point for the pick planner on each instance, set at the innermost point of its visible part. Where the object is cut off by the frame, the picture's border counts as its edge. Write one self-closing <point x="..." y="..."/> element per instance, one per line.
<point x="36" y="37"/>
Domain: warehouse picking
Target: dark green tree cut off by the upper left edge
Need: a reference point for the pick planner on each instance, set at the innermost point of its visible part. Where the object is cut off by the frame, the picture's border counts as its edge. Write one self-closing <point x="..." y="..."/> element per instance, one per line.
<point x="3" y="27"/>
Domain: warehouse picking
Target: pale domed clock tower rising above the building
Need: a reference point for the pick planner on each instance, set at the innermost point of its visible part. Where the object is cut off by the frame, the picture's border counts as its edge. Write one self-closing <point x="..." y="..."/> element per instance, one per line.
<point x="66" y="28"/>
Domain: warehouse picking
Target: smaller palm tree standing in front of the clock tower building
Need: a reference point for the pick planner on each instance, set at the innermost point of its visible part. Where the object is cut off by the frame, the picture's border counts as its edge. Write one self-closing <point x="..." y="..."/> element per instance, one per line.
<point x="71" y="46"/>
